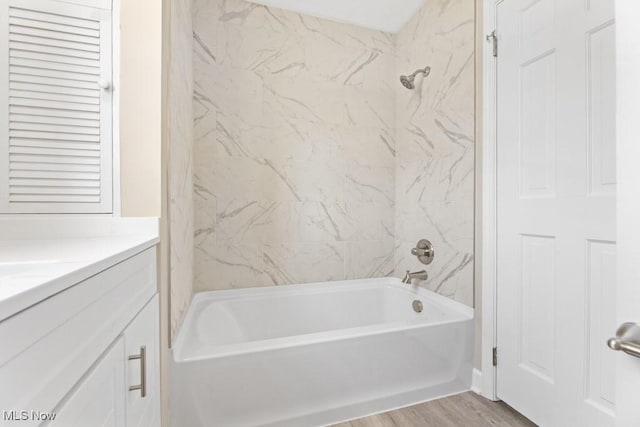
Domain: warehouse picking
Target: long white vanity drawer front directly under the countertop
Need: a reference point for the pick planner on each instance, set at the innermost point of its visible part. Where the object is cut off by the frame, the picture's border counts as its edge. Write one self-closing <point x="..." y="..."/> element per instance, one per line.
<point x="54" y="343"/>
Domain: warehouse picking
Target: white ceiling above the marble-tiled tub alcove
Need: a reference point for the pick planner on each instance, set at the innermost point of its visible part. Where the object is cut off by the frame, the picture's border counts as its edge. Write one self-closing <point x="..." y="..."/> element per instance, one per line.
<point x="384" y="15"/>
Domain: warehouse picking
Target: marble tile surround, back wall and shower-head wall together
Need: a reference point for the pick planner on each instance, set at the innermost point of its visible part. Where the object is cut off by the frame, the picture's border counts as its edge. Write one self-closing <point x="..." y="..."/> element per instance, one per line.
<point x="305" y="147"/>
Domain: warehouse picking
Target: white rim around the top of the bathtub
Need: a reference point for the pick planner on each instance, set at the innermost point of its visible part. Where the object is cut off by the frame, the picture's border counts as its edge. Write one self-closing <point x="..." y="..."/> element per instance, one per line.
<point x="462" y="313"/>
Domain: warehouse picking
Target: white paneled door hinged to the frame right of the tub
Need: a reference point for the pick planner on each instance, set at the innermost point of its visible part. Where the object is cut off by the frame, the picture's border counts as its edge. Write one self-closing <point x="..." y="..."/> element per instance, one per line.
<point x="556" y="210"/>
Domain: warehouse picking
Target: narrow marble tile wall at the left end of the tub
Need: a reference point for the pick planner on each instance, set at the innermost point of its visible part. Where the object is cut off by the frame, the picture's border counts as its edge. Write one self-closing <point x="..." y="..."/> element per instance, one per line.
<point x="180" y="182"/>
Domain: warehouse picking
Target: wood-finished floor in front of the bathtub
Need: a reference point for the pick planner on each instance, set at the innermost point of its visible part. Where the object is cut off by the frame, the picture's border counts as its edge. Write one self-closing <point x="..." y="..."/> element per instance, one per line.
<point x="462" y="410"/>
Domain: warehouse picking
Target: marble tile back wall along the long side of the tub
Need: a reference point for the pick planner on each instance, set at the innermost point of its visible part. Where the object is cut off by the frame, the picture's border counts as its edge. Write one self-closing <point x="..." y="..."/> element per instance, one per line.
<point x="294" y="147"/>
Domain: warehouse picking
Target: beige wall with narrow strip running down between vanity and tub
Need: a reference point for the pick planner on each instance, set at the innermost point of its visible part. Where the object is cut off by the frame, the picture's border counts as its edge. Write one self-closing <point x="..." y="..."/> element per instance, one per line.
<point x="142" y="160"/>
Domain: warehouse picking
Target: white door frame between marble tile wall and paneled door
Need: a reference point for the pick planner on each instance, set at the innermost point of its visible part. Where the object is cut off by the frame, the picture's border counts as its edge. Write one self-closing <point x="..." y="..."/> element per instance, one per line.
<point x="488" y="211"/>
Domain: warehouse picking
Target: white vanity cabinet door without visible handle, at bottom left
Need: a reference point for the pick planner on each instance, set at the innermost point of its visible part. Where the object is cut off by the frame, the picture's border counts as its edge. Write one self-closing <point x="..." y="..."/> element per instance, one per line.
<point x="99" y="400"/>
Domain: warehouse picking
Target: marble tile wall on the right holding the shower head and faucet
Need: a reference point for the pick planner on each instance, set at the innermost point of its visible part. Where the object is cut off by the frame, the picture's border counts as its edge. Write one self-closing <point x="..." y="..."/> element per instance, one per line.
<point x="434" y="173"/>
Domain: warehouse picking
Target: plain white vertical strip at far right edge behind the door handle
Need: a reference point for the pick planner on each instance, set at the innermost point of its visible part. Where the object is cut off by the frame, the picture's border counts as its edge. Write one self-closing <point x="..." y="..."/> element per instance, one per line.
<point x="627" y="127"/>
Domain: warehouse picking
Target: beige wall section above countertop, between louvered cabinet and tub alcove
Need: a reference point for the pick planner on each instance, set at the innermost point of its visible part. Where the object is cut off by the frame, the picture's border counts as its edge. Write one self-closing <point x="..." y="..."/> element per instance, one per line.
<point x="140" y="107"/>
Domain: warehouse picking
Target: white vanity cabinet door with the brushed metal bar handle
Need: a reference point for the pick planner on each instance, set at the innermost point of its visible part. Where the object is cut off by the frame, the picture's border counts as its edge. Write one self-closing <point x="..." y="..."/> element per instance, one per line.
<point x="143" y="368"/>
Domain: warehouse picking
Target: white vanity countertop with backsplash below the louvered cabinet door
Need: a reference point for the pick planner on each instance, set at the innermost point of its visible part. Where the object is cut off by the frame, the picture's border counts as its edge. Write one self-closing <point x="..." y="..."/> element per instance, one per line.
<point x="36" y="264"/>
